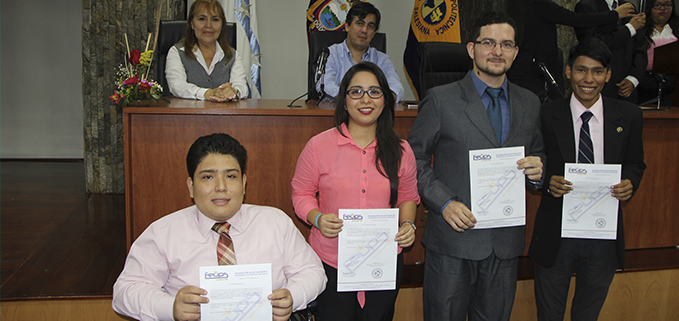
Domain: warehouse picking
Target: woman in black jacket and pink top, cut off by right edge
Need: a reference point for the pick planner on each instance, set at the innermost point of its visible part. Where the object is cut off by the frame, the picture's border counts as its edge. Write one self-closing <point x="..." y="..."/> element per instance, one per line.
<point x="662" y="28"/>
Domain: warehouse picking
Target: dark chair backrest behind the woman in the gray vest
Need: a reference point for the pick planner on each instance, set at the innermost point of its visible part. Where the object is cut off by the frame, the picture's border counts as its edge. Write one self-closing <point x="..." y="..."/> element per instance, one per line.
<point x="169" y="33"/>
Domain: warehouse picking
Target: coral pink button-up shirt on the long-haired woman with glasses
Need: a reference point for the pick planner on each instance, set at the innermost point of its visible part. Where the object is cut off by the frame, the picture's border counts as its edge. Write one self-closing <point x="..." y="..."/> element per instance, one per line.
<point x="344" y="176"/>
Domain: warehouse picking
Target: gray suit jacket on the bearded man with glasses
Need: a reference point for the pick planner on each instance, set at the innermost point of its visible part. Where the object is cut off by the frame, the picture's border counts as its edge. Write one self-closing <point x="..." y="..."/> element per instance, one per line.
<point x="451" y="121"/>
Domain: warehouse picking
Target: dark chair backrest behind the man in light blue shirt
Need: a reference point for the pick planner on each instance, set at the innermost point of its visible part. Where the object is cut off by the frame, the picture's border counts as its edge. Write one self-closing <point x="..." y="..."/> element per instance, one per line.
<point x="319" y="40"/>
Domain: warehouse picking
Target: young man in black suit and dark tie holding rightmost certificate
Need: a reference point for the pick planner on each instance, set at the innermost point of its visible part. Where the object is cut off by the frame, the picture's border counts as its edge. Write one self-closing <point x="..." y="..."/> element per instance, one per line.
<point x="615" y="129"/>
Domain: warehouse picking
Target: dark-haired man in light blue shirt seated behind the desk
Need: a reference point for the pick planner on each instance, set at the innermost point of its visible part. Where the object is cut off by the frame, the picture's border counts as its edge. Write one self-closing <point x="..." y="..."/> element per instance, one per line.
<point x="363" y="20"/>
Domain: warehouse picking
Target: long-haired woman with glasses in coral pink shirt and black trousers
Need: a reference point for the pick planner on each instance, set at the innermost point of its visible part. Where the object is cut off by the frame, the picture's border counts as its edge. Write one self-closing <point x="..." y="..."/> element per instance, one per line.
<point x="361" y="163"/>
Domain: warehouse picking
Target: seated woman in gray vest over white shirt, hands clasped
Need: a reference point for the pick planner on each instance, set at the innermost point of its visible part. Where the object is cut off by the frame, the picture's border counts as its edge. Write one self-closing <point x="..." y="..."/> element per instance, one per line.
<point x="211" y="69"/>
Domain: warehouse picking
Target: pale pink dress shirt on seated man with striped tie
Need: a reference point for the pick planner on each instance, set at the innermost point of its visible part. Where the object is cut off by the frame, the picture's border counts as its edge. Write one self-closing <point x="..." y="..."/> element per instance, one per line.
<point x="167" y="255"/>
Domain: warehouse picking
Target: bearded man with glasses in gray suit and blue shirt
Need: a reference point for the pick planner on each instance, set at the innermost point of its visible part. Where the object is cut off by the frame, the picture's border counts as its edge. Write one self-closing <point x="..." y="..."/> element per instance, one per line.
<point x="473" y="271"/>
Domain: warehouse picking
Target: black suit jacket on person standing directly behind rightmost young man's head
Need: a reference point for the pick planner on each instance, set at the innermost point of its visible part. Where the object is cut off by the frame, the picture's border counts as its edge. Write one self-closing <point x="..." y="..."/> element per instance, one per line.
<point x="629" y="53"/>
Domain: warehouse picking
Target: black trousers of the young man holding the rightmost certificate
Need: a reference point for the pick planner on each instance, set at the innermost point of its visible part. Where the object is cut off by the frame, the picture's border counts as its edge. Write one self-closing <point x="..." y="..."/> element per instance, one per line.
<point x="594" y="261"/>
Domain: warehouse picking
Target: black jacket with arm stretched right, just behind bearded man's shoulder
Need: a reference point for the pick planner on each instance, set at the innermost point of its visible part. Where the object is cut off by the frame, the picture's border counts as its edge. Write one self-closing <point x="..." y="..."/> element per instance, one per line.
<point x="539" y="41"/>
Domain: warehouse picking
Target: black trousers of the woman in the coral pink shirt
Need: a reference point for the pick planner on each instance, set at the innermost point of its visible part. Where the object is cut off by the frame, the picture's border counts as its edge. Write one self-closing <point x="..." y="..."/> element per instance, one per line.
<point x="343" y="306"/>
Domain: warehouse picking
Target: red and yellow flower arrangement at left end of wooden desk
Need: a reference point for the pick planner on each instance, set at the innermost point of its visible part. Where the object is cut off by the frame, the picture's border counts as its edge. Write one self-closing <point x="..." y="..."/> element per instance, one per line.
<point x="132" y="82"/>
